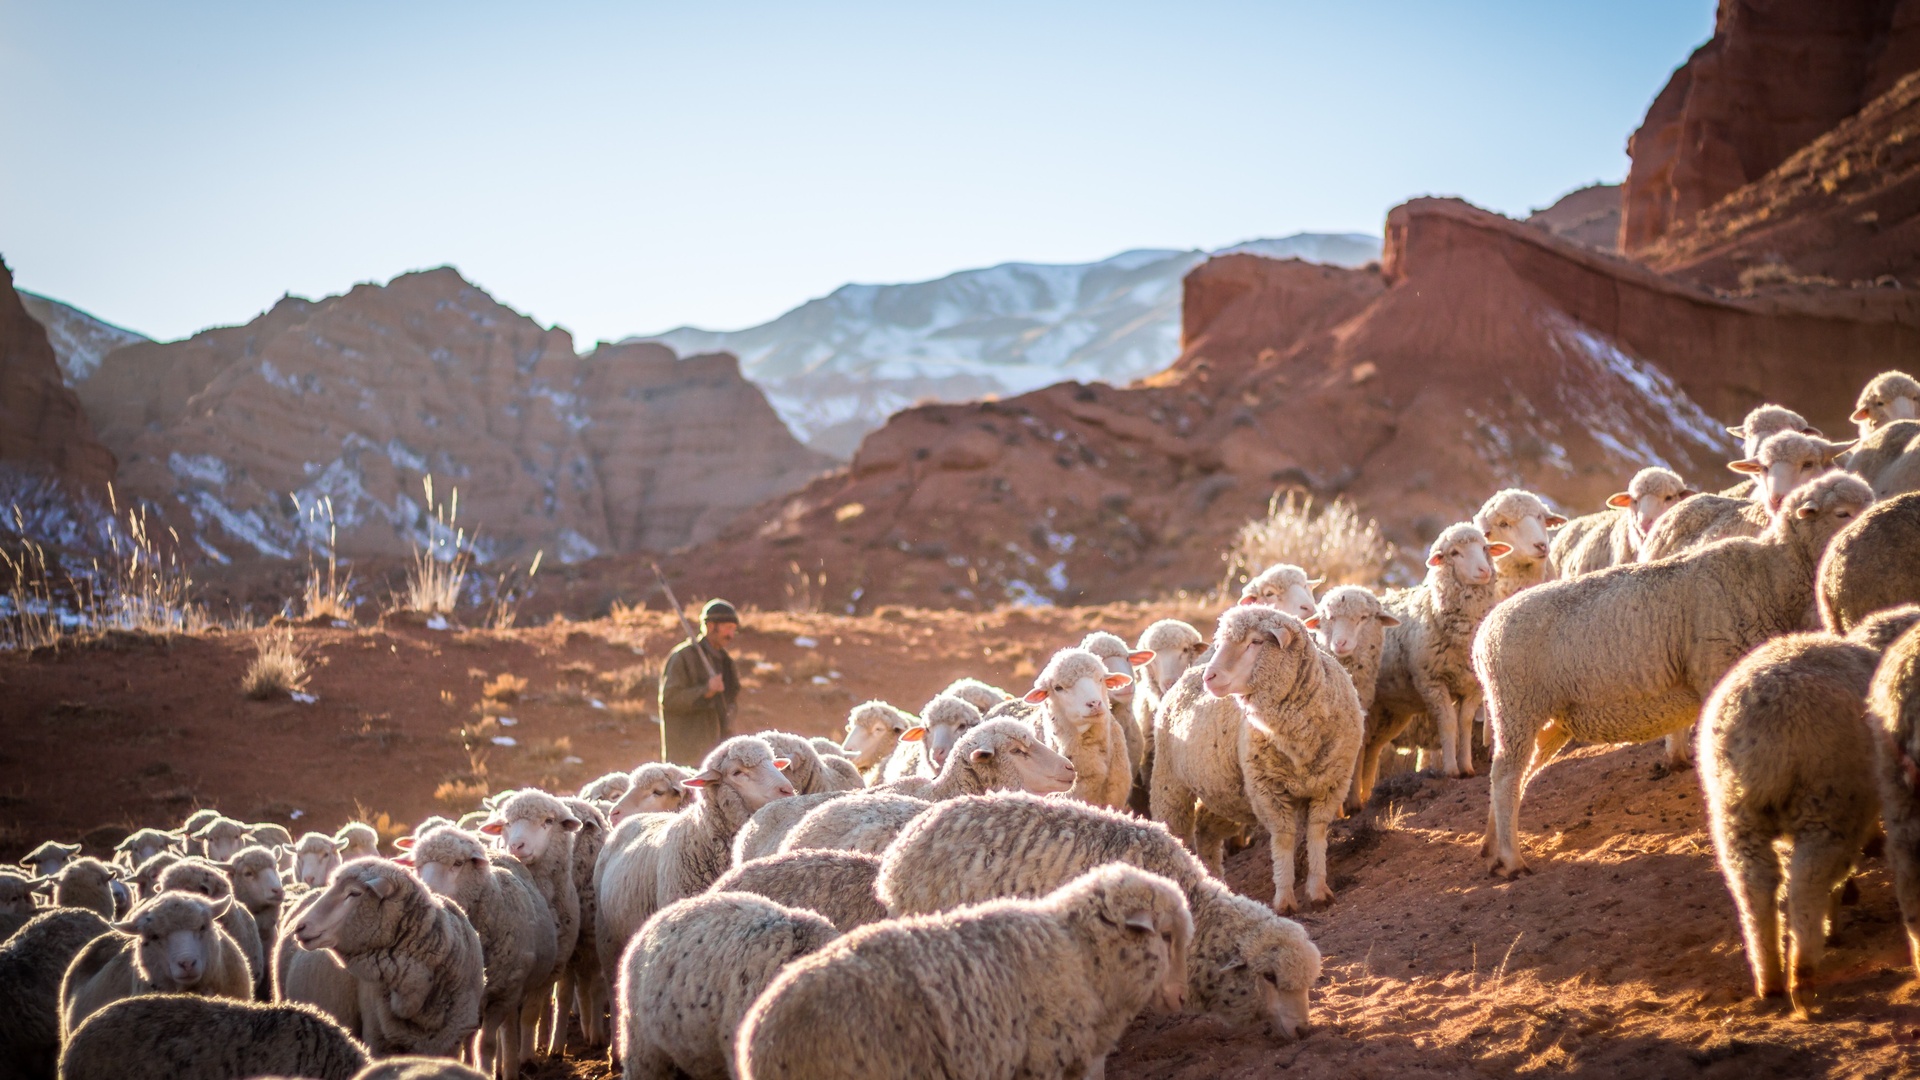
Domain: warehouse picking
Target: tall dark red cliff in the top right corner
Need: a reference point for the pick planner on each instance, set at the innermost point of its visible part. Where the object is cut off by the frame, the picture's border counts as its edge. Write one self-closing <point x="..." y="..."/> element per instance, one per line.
<point x="1775" y="76"/>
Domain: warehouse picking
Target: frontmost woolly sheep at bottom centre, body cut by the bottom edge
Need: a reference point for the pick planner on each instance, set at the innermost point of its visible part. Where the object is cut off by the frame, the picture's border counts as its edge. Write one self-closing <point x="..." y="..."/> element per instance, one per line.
<point x="1026" y="987"/>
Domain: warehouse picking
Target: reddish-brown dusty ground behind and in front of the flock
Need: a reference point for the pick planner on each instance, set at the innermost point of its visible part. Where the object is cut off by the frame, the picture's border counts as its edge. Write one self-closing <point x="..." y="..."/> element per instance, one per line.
<point x="1620" y="956"/>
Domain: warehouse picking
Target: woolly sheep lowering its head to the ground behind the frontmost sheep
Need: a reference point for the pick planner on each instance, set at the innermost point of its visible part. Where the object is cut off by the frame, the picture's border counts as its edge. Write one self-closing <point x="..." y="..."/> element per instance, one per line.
<point x="1247" y="966"/>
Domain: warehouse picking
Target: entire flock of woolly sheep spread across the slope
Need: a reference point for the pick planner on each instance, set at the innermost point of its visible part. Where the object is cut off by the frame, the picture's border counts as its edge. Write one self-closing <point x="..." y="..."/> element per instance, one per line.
<point x="999" y="885"/>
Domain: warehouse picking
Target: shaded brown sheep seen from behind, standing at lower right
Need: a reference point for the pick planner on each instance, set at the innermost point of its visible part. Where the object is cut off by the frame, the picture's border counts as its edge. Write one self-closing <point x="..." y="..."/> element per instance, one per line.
<point x="1783" y="756"/>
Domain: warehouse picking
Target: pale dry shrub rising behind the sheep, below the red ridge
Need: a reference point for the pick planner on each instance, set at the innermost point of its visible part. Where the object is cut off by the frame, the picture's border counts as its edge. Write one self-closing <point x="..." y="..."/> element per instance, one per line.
<point x="1335" y="543"/>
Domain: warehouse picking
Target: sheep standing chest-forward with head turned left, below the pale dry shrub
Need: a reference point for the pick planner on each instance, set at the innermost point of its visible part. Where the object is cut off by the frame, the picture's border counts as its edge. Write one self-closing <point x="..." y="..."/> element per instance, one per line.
<point x="1289" y="750"/>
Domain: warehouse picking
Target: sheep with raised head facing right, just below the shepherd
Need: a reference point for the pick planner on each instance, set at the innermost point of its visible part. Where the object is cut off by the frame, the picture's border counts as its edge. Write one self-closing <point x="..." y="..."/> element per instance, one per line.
<point x="660" y="858"/>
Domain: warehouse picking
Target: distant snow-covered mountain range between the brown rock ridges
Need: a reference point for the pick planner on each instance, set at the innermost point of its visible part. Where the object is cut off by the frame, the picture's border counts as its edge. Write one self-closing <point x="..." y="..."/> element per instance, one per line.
<point x="840" y="366"/>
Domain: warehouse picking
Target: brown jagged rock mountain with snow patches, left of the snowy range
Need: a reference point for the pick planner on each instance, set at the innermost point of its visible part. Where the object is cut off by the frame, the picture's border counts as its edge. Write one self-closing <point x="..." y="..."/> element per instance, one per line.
<point x="358" y="397"/>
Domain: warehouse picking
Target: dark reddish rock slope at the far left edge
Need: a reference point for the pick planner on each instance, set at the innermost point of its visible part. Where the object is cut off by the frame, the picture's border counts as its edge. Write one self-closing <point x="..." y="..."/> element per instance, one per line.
<point x="43" y="431"/>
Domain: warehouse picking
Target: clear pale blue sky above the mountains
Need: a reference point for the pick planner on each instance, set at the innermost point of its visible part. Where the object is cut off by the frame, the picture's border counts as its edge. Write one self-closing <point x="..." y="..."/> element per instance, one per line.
<point x="631" y="166"/>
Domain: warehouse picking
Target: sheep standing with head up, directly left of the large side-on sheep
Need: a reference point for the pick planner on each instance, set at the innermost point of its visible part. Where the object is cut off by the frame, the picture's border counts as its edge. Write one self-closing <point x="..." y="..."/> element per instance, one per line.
<point x="1426" y="658"/>
